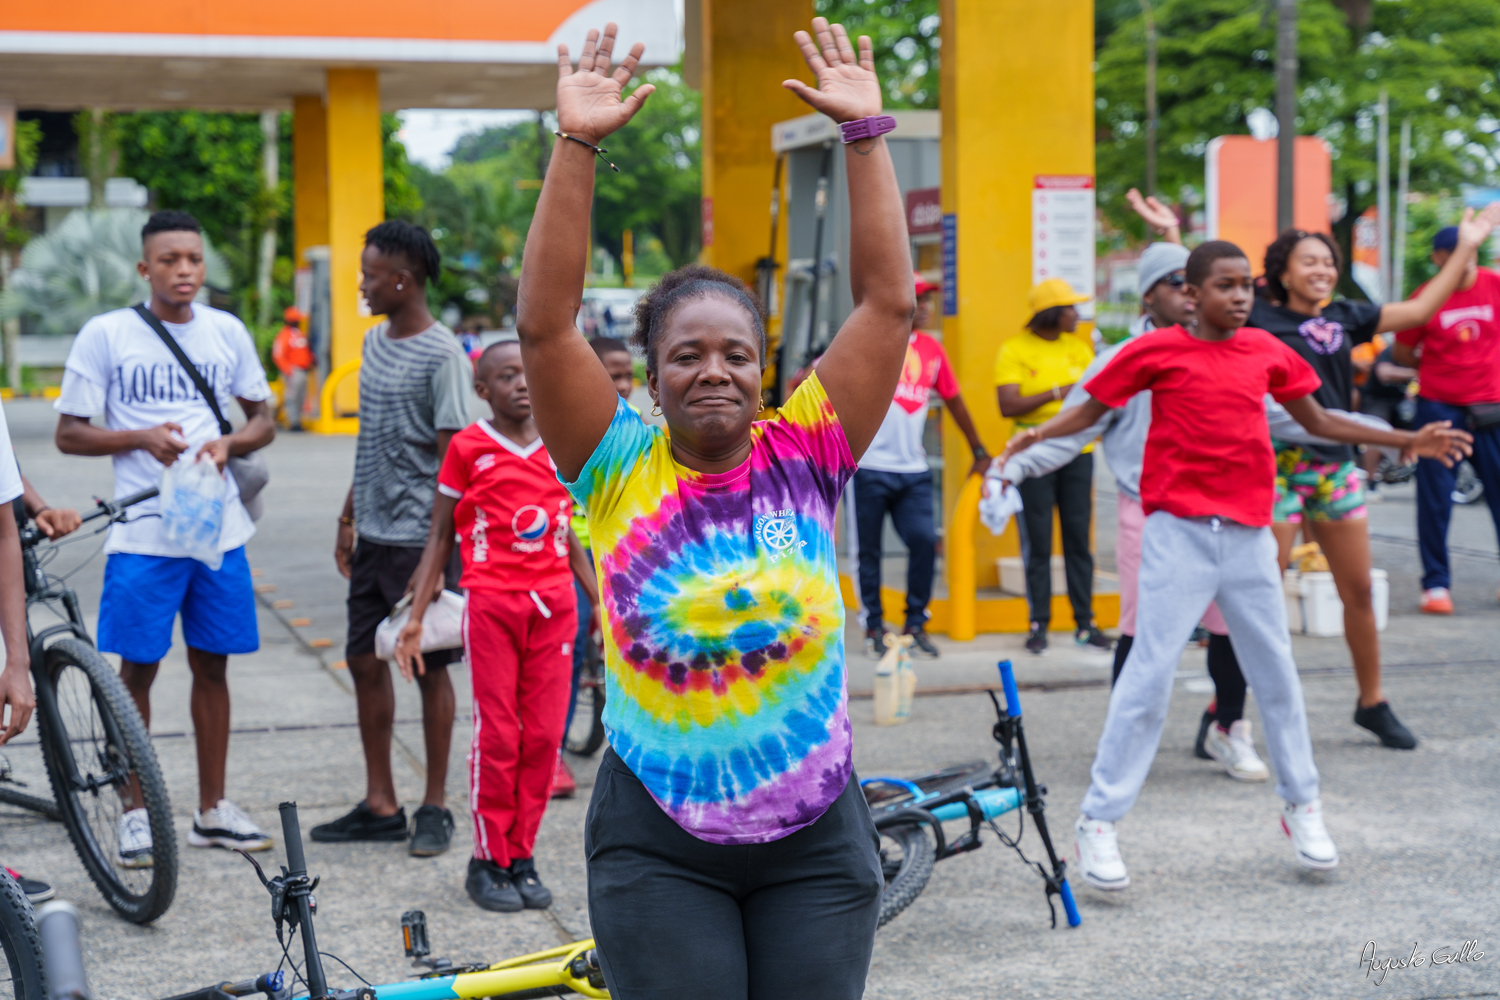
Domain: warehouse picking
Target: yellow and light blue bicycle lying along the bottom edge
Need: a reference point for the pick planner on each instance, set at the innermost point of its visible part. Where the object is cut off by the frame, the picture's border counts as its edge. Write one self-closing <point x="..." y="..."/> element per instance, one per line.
<point x="559" y="972"/>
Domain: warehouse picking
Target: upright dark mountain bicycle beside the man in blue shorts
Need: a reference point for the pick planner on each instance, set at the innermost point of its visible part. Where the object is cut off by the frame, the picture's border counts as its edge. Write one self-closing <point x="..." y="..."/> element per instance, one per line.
<point x="98" y="755"/>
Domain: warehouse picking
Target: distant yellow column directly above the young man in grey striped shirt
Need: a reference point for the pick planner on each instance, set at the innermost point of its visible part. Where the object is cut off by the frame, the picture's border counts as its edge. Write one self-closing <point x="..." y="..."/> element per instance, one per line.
<point x="356" y="203"/>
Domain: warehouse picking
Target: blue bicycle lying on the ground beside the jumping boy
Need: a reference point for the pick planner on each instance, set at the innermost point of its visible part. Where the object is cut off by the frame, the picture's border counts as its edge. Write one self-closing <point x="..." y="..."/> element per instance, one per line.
<point x="910" y="815"/>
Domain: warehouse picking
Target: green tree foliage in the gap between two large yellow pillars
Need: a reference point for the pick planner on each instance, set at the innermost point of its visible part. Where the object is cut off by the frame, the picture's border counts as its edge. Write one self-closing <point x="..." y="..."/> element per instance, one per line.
<point x="905" y="38"/>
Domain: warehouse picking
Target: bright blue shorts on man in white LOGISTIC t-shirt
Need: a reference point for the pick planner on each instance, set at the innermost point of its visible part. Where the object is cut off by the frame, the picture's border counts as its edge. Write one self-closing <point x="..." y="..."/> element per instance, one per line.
<point x="143" y="594"/>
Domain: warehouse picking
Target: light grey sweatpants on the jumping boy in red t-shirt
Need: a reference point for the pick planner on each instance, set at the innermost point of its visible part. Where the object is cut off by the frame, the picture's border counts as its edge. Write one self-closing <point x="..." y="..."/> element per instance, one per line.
<point x="1186" y="564"/>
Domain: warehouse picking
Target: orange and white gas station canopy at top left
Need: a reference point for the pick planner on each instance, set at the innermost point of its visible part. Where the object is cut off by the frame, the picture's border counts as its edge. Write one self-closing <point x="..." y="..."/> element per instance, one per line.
<point x="232" y="56"/>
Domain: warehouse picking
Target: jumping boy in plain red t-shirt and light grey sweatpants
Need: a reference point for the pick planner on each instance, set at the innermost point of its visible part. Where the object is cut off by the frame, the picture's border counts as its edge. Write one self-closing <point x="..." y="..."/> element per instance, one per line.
<point x="1208" y="487"/>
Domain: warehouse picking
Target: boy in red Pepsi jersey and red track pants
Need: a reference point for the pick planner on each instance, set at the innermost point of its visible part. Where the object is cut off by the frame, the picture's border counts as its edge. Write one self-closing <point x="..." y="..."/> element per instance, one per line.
<point x="499" y="491"/>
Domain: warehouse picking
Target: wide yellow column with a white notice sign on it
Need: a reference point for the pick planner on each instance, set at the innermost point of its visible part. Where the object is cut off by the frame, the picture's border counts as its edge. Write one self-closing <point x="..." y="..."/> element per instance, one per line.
<point x="1018" y="101"/>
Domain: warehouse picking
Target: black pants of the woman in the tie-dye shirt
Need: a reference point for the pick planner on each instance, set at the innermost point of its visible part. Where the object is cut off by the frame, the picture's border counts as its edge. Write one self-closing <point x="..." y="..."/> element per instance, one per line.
<point x="682" y="920"/>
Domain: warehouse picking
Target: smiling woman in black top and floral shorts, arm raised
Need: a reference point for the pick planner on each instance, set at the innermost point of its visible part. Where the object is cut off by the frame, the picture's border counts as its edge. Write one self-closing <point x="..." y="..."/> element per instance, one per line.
<point x="1316" y="485"/>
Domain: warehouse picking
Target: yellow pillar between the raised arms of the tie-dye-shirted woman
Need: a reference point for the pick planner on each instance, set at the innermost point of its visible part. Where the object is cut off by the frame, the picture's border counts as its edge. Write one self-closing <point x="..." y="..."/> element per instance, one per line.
<point x="748" y="53"/>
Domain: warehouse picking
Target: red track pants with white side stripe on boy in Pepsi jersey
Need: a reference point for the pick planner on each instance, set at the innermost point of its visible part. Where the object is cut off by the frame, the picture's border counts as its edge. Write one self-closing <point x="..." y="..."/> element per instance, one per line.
<point x="521" y="665"/>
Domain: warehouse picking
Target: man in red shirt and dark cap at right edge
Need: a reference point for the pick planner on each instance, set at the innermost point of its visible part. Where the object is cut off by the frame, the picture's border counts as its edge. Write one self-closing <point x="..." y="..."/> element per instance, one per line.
<point x="1457" y="355"/>
